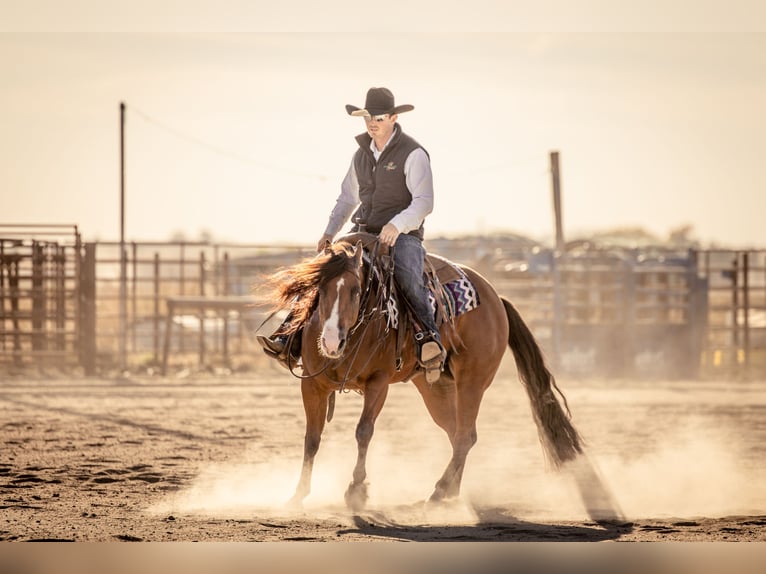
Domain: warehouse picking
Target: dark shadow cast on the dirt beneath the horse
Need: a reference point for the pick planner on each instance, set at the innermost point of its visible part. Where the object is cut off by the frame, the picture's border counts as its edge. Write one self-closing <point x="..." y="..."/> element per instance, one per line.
<point x="492" y="524"/>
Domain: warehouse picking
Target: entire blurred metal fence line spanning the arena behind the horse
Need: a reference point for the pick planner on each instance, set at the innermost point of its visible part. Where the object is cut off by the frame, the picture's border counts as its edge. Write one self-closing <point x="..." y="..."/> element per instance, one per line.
<point x="629" y="313"/>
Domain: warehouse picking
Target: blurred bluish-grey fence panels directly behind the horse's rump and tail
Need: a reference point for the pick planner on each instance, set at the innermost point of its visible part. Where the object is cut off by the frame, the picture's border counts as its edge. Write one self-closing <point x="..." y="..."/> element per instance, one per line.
<point x="613" y="314"/>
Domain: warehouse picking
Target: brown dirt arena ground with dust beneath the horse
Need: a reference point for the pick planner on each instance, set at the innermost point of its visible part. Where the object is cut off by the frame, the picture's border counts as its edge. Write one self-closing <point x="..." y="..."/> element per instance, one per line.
<point x="204" y="457"/>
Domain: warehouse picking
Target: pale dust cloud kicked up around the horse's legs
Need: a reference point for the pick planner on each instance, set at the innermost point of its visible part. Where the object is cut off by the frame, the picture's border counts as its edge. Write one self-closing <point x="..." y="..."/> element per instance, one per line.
<point x="653" y="451"/>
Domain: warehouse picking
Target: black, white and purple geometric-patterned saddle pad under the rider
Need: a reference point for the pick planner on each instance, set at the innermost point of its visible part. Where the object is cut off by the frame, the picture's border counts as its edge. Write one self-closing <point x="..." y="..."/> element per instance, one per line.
<point x="458" y="294"/>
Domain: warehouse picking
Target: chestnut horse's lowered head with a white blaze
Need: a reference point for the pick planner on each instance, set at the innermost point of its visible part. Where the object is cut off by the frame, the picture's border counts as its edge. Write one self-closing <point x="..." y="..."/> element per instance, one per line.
<point x="339" y="301"/>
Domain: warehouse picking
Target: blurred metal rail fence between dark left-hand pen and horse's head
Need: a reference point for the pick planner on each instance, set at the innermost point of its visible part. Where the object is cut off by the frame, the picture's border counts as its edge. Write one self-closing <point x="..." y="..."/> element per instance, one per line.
<point x="158" y="273"/>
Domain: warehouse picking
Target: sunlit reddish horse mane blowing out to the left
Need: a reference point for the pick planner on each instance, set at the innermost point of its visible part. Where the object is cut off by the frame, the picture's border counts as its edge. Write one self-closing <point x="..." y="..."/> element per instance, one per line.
<point x="297" y="286"/>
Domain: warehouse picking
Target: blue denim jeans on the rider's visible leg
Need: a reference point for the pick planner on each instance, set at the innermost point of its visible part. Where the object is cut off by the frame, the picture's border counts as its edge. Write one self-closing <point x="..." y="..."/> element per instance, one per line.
<point x="409" y="255"/>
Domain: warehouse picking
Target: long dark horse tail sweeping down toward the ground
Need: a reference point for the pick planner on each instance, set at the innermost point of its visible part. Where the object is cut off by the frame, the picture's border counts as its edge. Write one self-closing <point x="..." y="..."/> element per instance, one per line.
<point x="560" y="440"/>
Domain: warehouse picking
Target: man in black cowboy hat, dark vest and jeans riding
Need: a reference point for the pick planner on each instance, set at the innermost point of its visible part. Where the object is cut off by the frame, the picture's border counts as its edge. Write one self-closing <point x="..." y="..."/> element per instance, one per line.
<point x="389" y="189"/>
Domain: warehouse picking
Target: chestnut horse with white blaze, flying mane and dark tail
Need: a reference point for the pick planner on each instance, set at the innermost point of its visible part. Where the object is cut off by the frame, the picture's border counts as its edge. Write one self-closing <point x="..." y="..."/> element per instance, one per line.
<point x="346" y="344"/>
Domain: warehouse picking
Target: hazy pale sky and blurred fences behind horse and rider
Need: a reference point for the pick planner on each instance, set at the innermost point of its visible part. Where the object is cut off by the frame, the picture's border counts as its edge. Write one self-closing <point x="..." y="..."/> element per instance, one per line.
<point x="156" y="164"/>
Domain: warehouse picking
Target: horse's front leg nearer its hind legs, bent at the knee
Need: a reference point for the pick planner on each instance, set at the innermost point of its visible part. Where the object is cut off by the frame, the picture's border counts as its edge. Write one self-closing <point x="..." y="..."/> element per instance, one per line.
<point x="375" y="395"/>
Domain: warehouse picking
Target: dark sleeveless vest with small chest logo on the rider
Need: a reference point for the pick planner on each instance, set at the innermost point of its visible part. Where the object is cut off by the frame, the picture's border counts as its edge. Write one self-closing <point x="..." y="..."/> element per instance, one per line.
<point x="382" y="185"/>
